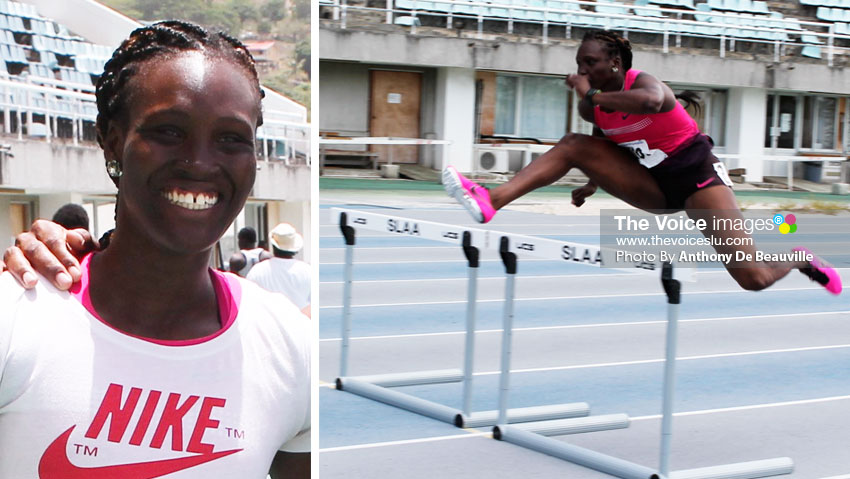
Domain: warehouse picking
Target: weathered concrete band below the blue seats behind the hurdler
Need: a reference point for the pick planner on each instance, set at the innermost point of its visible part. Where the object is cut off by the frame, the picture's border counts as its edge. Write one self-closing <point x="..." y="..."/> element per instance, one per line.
<point x="559" y="59"/>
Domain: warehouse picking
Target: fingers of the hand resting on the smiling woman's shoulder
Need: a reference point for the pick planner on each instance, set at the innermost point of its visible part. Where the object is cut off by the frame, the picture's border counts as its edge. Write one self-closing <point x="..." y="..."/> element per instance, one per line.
<point x="48" y="256"/>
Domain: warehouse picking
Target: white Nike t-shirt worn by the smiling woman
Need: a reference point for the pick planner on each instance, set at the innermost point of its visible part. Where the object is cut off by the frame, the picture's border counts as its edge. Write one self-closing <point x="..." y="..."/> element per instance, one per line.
<point x="81" y="399"/>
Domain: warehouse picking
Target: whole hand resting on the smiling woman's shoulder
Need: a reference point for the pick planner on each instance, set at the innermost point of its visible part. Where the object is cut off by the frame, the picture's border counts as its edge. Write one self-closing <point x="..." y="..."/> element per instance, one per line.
<point x="49" y="249"/>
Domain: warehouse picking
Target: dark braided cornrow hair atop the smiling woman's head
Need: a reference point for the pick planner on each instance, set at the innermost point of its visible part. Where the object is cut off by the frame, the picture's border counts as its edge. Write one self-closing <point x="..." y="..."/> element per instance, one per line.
<point x="161" y="39"/>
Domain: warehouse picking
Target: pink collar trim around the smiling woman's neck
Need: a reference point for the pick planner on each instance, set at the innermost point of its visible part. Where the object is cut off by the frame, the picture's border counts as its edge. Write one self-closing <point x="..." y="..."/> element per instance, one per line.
<point x="228" y="293"/>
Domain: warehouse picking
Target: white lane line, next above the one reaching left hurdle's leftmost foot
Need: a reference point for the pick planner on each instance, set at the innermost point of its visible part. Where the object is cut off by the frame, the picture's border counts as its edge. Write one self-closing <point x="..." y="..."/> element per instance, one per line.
<point x="594" y="325"/>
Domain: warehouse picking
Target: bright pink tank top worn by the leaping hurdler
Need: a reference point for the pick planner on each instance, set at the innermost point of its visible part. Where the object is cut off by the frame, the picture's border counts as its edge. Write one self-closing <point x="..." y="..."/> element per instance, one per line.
<point x="661" y="131"/>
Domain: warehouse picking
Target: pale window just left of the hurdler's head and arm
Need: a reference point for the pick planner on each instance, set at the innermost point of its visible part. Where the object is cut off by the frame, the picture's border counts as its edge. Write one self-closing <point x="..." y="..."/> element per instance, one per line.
<point x="531" y="106"/>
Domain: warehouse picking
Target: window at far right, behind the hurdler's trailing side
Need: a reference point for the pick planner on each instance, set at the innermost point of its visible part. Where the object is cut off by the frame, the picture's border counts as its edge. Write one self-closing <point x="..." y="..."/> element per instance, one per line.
<point x="801" y="122"/>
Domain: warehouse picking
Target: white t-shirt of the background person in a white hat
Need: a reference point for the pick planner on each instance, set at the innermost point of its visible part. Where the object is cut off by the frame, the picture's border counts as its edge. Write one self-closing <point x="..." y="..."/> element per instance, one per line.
<point x="284" y="275"/>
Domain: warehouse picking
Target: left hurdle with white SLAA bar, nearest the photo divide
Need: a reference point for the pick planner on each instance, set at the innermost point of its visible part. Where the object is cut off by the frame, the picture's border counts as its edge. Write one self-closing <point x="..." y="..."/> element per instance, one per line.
<point x="376" y="387"/>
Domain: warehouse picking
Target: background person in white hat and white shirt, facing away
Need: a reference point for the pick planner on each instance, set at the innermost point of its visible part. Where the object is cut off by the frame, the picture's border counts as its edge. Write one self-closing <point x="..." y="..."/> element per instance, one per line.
<point x="283" y="273"/>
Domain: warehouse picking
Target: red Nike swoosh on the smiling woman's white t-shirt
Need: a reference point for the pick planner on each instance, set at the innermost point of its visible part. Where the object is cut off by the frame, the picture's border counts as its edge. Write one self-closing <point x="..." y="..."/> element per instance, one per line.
<point x="55" y="464"/>
